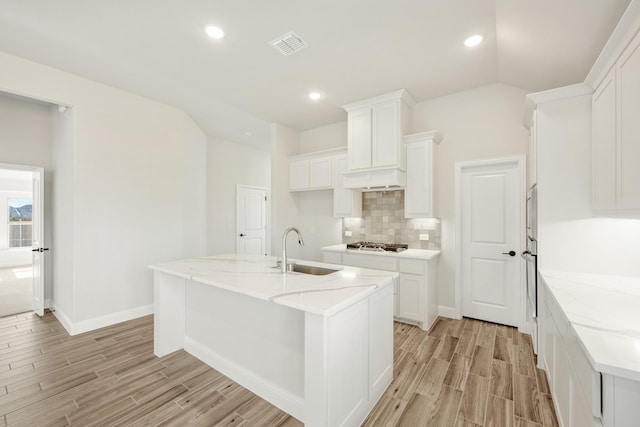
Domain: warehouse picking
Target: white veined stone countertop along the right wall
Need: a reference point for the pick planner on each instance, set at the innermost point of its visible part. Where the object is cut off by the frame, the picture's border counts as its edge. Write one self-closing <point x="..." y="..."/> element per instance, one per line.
<point x="604" y="312"/>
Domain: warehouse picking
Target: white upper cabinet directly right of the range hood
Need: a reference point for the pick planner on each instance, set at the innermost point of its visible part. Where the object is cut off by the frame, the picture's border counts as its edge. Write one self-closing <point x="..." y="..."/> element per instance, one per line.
<point x="419" y="193"/>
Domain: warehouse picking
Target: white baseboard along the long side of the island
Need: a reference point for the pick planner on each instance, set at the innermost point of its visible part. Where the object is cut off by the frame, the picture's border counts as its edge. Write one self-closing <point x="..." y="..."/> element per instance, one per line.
<point x="284" y="400"/>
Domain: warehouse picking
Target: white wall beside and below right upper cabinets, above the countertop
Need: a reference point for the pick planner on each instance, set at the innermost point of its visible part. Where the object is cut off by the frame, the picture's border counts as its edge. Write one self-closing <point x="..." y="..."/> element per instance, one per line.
<point x="570" y="237"/>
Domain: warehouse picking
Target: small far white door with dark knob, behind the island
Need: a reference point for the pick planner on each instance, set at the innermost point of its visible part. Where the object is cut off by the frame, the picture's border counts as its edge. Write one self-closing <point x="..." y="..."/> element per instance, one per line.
<point x="251" y="224"/>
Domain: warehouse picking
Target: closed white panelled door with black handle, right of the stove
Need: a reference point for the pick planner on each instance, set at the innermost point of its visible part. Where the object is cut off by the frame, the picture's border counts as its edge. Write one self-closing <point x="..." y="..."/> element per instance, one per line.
<point x="491" y="225"/>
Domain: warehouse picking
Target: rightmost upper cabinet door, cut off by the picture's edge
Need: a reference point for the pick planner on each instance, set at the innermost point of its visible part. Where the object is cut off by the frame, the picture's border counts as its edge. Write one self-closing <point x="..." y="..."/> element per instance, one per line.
<point x="628" y="153"/>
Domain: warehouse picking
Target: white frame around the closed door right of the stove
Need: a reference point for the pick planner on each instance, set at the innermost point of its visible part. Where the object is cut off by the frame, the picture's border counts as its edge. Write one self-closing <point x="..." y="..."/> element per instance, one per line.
<point x="520" y="162"/>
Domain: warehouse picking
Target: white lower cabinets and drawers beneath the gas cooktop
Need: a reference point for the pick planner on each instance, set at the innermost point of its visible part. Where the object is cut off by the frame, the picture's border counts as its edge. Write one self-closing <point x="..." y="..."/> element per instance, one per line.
<point x="415" y="292"/>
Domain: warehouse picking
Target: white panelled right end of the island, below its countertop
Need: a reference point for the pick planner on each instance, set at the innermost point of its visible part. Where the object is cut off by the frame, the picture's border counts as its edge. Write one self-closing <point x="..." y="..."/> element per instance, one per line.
<point x="349" y="361"/>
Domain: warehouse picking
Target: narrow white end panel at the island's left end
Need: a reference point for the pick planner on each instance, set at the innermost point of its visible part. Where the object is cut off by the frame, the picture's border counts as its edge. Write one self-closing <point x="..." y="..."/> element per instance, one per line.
<point x="168" y="313"/>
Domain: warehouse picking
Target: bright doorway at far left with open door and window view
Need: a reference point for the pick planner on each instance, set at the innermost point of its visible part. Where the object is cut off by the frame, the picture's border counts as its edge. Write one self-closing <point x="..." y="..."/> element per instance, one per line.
<point x="21" y="212"/>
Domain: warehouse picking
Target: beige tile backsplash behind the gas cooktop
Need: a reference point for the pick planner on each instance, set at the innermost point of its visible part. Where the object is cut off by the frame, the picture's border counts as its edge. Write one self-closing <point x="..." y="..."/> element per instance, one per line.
<point x="383" y="221"/>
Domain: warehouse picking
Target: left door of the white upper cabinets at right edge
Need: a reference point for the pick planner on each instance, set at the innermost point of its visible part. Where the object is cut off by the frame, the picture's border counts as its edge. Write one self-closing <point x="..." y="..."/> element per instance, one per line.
<point x="604" y="144"/>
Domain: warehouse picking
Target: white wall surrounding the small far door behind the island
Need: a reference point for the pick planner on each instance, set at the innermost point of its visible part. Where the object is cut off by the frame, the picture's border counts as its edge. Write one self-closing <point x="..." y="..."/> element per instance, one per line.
<point x="229" y="164"/>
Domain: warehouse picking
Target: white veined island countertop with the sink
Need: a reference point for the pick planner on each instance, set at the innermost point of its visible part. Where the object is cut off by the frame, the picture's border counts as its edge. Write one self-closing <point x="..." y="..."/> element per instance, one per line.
<point x="255" y="276"/>
